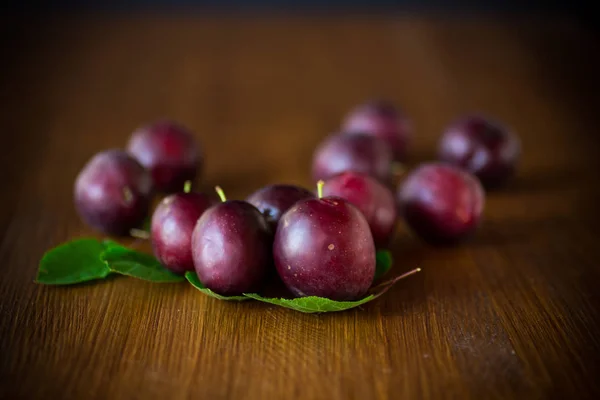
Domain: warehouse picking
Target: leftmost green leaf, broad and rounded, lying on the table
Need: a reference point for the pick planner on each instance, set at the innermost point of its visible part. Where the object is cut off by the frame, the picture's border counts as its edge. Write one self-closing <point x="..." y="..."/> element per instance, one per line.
<point x="73" y="262"/>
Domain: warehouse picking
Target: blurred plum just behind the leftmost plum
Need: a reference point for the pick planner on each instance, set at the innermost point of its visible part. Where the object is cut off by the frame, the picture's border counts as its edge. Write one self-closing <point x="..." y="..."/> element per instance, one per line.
<point x="169" y="151"/>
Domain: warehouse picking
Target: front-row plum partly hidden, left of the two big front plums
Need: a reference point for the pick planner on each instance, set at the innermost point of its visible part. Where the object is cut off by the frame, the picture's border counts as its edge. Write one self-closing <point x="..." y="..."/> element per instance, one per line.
<point x="171" y="228"/>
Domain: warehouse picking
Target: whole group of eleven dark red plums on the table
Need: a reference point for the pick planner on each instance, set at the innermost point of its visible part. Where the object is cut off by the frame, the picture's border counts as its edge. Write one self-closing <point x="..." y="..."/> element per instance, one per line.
<point x="320" y="244"/>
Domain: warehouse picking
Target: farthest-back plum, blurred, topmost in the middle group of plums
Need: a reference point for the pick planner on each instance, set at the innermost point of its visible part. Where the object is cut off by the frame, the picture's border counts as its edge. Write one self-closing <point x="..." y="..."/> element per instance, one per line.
<point x="381" y="119"/>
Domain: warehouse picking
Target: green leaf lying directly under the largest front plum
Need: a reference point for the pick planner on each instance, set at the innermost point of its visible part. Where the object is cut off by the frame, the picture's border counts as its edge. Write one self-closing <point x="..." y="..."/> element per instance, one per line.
<point x="312" y="304"/>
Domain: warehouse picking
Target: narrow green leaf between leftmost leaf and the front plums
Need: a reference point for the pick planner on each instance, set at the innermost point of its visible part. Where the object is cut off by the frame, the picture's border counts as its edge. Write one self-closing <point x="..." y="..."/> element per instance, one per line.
<point x="124" y="261"/>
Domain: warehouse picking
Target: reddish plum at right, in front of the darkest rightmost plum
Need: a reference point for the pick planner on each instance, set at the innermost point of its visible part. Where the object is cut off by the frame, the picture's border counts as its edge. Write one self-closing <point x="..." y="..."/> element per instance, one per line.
<point x="441" y="203"/>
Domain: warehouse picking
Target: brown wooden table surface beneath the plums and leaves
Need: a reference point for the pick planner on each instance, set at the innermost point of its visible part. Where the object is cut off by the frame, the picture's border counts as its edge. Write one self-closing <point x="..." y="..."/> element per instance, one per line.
<point x="510" y="314"/>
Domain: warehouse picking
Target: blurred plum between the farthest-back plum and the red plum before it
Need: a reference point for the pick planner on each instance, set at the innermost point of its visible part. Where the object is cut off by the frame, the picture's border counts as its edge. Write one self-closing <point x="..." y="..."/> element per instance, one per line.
<point x="358" y="152"/>
